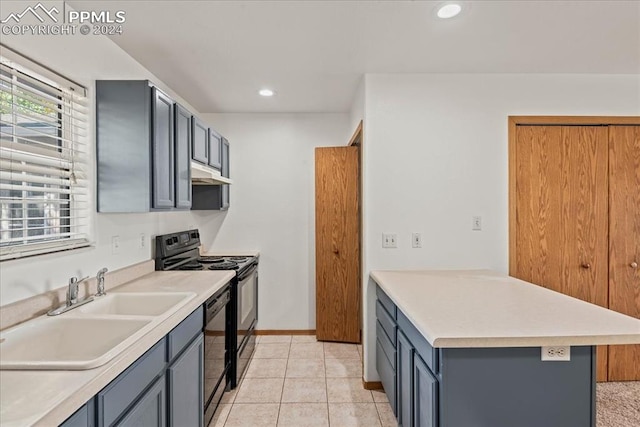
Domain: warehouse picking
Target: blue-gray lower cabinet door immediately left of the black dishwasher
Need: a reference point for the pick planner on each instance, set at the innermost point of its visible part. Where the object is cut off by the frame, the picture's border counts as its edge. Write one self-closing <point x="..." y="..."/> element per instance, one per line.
<point x="186" y="380"/>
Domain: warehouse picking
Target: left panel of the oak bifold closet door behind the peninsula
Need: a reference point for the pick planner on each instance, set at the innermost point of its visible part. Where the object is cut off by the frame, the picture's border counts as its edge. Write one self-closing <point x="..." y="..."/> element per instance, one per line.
<point x="561" y="212"/>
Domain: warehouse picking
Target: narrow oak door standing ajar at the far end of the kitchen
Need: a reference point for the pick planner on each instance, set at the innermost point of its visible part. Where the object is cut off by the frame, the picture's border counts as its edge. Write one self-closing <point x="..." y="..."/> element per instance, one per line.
<point x="338" y="244"/>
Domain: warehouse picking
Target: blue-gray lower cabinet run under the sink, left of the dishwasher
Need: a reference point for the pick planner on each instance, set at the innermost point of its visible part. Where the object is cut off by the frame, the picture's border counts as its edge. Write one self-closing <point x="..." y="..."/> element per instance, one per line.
<point x="163" y="387"/>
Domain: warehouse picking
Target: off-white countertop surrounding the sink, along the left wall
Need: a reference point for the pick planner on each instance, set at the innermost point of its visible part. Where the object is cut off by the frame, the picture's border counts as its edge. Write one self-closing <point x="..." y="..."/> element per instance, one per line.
<point x="47" y="398"/>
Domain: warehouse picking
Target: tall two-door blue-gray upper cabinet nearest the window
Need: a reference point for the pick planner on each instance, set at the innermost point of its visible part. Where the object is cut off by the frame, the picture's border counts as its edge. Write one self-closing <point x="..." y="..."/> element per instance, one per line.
<point x="136" y="149"/>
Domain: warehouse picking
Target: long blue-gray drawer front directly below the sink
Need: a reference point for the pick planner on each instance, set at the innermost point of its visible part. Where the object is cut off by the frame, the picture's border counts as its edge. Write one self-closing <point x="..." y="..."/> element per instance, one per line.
<point x="115" y="398"/>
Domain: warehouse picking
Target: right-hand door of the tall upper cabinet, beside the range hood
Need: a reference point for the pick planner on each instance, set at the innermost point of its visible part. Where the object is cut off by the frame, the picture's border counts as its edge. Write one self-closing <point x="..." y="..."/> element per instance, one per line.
<point x="183" y="140"/>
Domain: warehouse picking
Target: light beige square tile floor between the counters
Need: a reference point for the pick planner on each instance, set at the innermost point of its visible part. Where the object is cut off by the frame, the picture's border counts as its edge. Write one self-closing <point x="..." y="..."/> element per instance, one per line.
<point x="298" y="381"/>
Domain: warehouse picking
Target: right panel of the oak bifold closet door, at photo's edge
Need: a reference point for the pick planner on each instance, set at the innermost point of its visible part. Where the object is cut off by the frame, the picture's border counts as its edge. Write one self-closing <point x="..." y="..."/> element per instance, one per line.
<point x="624" y="242"/>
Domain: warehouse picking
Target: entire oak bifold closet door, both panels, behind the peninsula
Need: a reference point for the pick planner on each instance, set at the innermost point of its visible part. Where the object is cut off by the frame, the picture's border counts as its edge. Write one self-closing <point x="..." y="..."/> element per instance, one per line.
<point x="575" y="220"/>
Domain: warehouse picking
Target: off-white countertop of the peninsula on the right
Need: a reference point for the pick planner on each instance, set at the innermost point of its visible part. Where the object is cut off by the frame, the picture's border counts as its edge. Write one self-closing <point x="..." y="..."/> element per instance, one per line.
<point x="486" y="309"/>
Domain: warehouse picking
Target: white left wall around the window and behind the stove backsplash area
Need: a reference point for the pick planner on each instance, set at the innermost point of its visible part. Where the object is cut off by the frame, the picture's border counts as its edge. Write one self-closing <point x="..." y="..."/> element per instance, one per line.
<point x="86" y="59"/>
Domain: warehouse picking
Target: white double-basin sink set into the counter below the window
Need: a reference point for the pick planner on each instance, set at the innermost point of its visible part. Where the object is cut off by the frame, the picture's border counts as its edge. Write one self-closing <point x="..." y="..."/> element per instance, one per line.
<point x="87" y="336"/>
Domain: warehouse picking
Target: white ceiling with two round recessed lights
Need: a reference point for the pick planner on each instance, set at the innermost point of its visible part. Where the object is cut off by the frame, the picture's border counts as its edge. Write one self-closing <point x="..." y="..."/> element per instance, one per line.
<point x="217" y="54"/>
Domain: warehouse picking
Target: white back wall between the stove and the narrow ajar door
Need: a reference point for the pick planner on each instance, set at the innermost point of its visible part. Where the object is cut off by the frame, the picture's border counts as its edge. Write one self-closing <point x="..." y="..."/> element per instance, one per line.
<point x="272" y="205"/>
